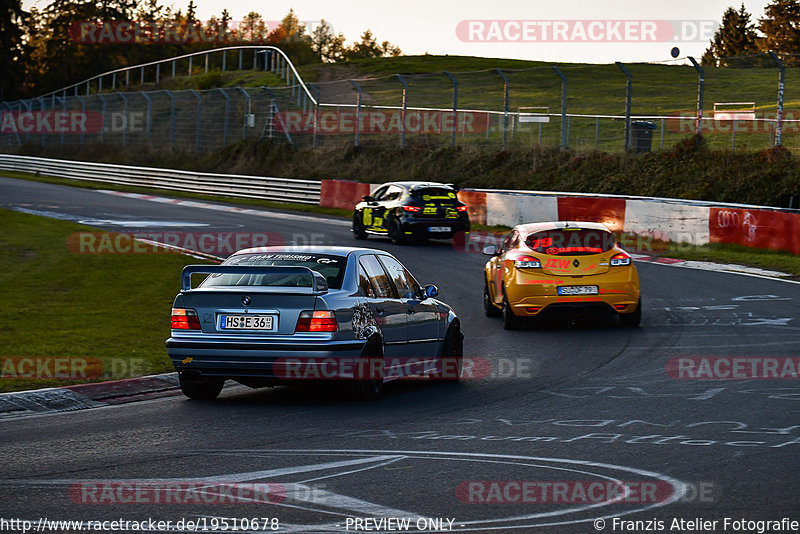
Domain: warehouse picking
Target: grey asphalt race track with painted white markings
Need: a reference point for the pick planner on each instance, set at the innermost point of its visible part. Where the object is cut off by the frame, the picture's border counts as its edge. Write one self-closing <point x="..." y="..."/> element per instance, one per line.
<point x="554" y="404"/>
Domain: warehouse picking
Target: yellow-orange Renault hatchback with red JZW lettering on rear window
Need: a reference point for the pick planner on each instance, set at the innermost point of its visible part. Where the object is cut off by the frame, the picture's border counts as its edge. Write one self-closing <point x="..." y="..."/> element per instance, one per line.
<point x="572" y="268"/>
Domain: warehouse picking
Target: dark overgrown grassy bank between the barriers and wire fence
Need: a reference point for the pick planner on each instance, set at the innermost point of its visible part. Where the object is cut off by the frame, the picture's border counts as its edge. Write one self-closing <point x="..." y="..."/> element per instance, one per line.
<point x="688" y="170"/>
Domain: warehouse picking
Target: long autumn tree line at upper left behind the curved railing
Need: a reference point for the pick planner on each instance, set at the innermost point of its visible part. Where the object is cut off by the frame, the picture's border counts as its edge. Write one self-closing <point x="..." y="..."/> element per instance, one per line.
<point x="71" y="40"/>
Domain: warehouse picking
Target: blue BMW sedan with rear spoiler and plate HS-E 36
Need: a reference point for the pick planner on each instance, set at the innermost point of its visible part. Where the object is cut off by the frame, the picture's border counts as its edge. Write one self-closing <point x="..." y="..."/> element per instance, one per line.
<point x="286" y="315"/>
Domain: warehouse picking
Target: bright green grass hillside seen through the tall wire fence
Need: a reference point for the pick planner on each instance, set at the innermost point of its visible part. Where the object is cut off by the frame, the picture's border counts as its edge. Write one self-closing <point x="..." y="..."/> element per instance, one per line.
<point x="592" y="89"/>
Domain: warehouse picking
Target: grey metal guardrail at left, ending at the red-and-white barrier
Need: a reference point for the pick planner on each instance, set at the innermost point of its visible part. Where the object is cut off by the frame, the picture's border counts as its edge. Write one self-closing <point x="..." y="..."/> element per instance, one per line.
<point x="231" y="185"/>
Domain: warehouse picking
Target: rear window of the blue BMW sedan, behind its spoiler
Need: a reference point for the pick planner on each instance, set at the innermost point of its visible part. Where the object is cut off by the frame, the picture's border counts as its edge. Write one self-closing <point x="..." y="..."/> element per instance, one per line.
<point x="329" y="266"/>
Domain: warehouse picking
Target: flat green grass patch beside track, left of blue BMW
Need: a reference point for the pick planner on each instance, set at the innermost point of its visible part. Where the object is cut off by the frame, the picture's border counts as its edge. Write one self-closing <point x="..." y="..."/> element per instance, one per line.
<point x="56" y="304"/>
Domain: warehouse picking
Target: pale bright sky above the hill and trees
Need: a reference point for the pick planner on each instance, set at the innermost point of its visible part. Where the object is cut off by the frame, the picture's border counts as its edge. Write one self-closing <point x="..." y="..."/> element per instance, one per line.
<point x="420" y="26"/>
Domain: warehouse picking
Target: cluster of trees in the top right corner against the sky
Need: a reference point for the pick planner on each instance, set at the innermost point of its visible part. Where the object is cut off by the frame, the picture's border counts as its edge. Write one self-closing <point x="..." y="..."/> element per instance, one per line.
<point x="741" y="42"/>
